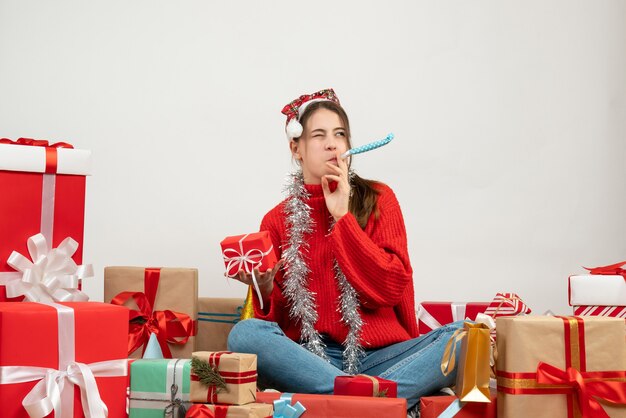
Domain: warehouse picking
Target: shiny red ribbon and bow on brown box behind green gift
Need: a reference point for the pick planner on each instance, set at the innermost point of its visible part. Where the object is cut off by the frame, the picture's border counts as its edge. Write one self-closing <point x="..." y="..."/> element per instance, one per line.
<point x="168" y="326"/>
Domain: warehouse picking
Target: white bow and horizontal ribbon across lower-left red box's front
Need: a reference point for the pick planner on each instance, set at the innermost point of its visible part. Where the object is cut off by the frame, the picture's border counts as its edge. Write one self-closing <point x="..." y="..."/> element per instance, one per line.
<point x="45" y="396"/>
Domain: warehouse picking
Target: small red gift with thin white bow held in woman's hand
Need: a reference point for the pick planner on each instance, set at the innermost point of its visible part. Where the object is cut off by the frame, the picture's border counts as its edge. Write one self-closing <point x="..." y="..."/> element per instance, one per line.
<point x="247" y="252"/>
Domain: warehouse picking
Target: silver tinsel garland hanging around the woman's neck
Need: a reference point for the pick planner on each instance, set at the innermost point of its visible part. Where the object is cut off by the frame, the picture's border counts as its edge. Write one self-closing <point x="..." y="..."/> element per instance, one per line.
<point x="302" y="304"/>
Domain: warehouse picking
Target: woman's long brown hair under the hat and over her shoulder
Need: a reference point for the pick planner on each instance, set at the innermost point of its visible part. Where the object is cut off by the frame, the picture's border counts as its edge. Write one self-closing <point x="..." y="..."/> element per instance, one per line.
<point x="363" y="195"/>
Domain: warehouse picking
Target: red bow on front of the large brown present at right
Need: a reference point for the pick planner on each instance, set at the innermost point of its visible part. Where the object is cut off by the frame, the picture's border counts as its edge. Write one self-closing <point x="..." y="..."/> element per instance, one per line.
<point x="586" y="391"/>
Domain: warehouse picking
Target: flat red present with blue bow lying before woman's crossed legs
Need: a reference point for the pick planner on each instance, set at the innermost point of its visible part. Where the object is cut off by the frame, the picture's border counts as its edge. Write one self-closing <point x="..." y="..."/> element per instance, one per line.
<point x="338" y="406"/>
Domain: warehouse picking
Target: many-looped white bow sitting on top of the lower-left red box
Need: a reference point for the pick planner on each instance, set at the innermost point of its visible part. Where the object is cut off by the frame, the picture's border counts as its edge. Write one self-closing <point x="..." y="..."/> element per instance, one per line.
<point x="51" y="276"/>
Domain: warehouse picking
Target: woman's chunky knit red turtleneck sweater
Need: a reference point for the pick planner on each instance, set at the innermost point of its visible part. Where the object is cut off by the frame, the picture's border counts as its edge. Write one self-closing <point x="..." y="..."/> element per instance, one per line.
<point x="375" y="261"/>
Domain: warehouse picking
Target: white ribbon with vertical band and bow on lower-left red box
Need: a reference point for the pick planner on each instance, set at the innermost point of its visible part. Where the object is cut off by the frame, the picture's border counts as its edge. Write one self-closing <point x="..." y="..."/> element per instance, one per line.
<point x="54" y="390"/>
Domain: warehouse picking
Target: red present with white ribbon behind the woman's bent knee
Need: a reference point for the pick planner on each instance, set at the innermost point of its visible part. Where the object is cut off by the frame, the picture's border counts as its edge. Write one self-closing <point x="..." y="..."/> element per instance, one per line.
<point x="432" y="315"/>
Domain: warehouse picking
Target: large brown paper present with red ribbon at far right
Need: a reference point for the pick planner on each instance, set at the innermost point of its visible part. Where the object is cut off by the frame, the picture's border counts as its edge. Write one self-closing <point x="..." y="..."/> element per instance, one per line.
<point x="560" y="366"/>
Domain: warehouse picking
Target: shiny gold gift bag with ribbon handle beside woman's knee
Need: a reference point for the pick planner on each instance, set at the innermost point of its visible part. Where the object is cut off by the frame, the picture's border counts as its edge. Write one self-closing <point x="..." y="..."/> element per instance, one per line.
<point x="472" y="376"/>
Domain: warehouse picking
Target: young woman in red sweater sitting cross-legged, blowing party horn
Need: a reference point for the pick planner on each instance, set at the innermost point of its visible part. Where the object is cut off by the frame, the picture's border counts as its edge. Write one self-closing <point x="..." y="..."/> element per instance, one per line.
<point x="340" y="300"/>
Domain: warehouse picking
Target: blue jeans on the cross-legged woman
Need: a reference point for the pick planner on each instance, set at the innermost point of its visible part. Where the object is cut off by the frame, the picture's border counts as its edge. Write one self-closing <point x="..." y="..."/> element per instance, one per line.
<point x="288" y="367"/>
